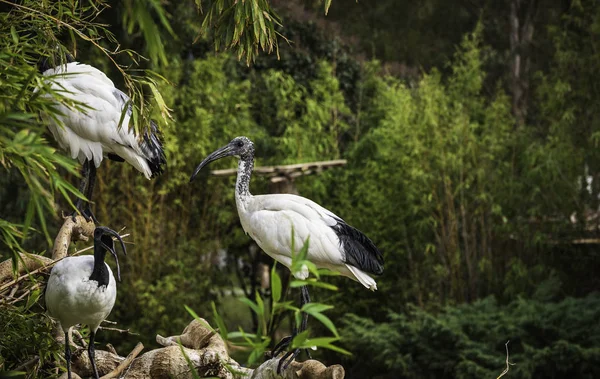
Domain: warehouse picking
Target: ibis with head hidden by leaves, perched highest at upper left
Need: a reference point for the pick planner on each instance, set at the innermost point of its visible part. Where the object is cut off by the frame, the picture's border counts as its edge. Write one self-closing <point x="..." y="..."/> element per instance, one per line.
<point x="101" y="128"/>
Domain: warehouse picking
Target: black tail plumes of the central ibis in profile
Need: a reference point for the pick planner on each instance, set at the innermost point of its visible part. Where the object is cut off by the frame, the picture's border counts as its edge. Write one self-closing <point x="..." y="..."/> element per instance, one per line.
<point x="360" y="251"/>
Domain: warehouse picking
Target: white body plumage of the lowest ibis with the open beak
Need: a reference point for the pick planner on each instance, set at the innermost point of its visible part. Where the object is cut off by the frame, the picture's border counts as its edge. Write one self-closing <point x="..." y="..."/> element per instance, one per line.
<point x="73" y="298"/>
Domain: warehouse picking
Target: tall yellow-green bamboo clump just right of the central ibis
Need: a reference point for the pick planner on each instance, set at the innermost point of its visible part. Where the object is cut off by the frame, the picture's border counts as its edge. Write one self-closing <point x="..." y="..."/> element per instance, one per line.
<point x="443" y="154"/>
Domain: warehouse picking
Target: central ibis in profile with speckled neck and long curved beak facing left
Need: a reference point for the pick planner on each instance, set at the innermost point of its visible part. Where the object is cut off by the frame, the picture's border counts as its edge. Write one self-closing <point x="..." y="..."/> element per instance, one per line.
<point x="269" y="220"/>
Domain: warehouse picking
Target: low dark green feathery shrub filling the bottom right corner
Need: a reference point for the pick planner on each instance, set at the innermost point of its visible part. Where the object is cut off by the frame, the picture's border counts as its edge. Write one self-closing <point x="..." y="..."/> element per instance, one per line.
<point x="547" y="339"/>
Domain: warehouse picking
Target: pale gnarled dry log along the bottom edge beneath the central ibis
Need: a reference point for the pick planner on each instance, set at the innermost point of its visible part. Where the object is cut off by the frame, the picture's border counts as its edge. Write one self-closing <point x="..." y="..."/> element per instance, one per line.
<point x="207" y="353"/>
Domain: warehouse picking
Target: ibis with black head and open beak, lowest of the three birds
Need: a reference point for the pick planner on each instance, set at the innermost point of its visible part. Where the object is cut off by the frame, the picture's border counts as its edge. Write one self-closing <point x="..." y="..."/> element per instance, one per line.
<point x="82" y="290"/>
